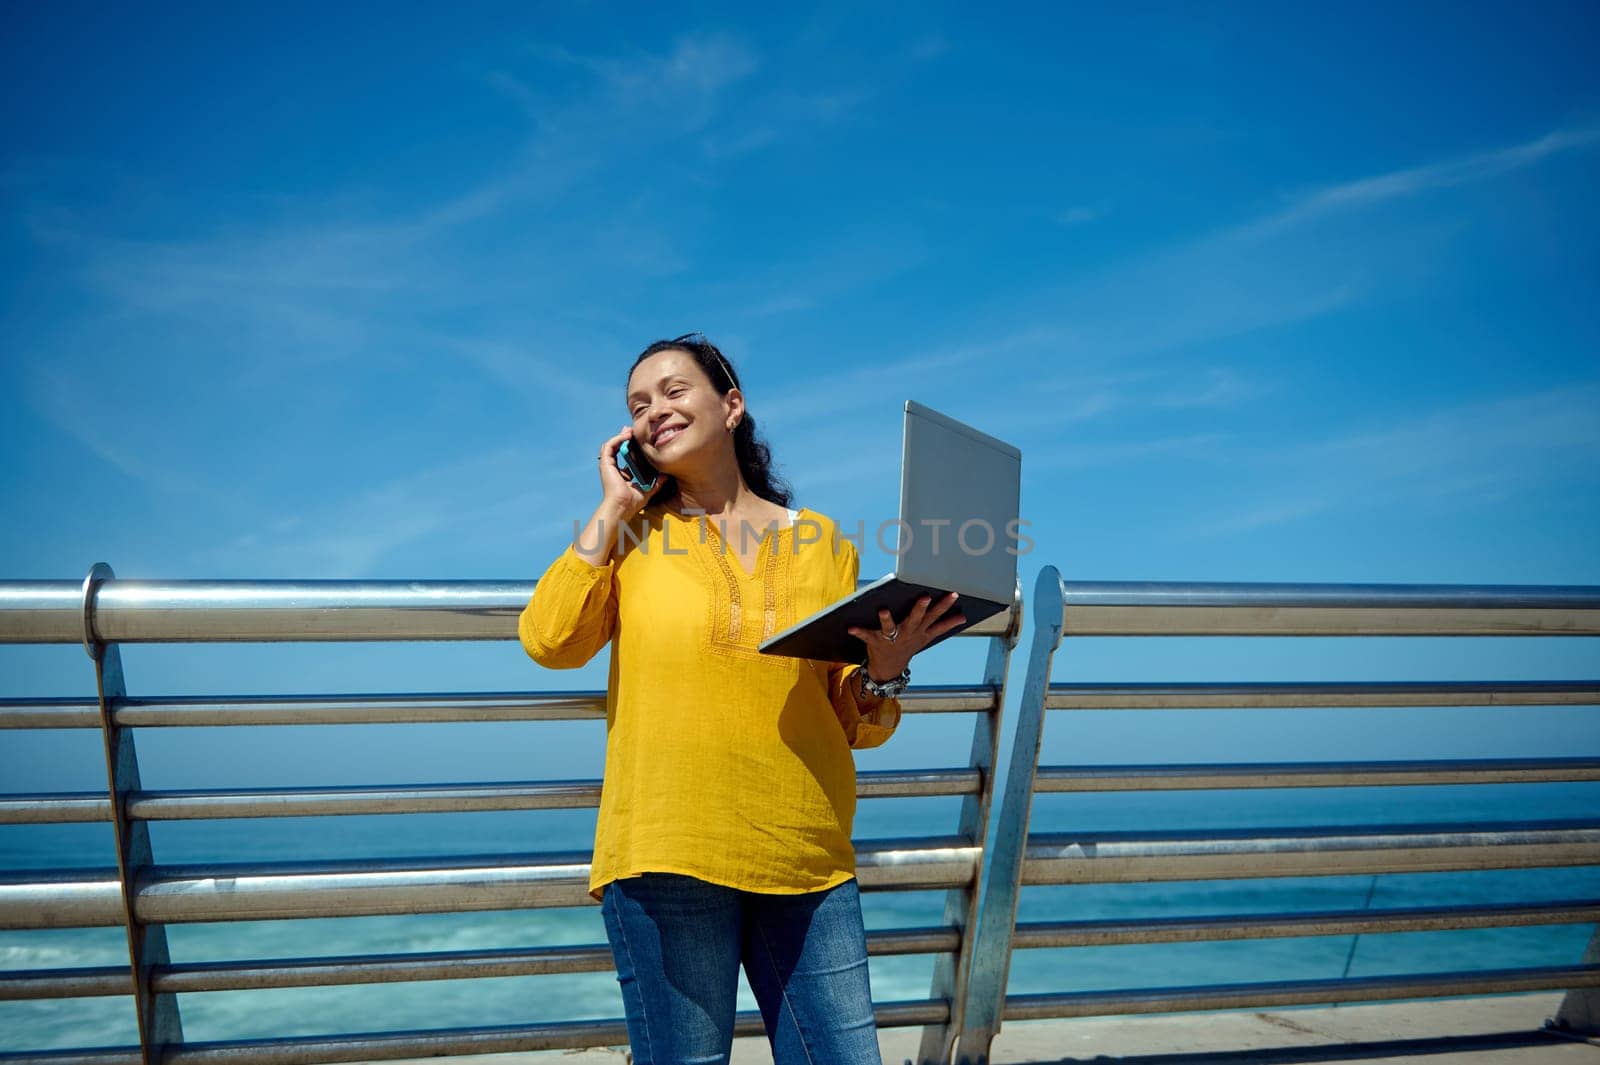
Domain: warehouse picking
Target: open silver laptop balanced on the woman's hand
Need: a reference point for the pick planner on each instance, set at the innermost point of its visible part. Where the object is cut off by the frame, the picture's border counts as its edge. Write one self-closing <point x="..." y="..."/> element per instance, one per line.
<point x="958" y="532"/>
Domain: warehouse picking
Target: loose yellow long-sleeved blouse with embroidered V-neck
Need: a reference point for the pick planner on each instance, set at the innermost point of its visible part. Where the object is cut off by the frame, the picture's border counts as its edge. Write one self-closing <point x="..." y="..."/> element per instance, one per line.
<point x="721" y="762"/>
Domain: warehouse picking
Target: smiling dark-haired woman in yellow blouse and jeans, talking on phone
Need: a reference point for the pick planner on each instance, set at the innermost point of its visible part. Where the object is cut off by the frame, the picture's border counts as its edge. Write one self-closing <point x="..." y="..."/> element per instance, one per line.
<point x="729" y="796"/>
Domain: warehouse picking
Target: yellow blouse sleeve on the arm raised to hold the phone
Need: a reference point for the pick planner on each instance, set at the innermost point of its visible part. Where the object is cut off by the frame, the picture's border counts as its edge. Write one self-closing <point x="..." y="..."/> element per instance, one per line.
<point x="572" y="613"/>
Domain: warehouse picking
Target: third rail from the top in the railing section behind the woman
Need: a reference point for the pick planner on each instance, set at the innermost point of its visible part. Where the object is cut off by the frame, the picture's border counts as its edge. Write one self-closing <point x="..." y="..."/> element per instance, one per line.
<point x="202" y="805"/>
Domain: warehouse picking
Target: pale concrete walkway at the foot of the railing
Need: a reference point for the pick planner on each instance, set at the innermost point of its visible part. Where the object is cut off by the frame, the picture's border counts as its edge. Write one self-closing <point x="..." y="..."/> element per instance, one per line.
<point x="1505" y="1031"/>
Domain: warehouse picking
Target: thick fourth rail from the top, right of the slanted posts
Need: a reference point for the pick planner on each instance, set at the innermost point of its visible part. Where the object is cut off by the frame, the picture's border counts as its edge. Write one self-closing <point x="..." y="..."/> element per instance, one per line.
<point x="1326" y="852"/>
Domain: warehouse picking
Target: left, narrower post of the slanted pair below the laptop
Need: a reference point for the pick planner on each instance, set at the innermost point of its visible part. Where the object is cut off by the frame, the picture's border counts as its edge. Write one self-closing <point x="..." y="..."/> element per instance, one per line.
<point x="961" y="906"/>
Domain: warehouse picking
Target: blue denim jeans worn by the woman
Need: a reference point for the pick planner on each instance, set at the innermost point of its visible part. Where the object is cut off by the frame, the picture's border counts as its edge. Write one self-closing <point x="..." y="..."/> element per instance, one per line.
<point x="679" y="943"/>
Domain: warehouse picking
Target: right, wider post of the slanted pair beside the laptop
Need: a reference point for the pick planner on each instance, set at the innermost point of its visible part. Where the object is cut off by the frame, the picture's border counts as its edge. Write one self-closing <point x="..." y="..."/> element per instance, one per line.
<point x="998" y="906"/>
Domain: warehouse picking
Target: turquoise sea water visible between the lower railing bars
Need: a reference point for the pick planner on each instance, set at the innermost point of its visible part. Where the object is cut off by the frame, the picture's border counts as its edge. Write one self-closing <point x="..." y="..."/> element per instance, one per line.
<point x="522" y="1000"/>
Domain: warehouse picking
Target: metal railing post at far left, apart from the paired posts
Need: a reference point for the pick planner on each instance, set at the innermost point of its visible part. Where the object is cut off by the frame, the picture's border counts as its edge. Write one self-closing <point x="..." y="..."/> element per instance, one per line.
<point x="158" y="1015"/>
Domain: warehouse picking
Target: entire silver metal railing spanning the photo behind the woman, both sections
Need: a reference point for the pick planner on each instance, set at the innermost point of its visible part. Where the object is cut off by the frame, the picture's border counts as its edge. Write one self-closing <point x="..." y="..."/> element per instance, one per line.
<point x="974" y="943"/>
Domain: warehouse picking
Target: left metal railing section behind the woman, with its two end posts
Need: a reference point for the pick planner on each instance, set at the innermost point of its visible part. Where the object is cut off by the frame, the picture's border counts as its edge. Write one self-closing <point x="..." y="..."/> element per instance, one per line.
<point x="146" y="896"/>
